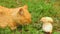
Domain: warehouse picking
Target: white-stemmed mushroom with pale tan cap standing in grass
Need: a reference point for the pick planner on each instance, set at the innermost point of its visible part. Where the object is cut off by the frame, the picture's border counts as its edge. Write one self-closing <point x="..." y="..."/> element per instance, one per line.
<point x="47" y="24"/>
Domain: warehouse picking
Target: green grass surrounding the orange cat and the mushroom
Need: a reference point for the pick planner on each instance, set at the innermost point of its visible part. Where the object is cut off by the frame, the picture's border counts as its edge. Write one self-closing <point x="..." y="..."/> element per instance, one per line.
<point x="38" y="9"/>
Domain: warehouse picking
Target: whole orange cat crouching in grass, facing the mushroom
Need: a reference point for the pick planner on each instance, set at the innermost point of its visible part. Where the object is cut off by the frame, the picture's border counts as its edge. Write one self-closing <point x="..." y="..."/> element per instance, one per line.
<point x="13" y="16"/>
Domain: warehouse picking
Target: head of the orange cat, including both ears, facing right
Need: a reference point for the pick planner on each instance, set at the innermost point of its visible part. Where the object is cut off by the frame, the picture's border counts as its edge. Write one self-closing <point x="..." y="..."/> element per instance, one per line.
<point x="22" y="15"/>
